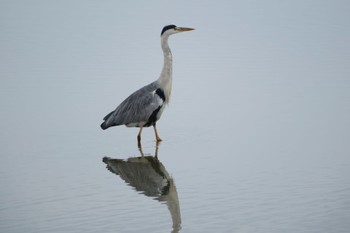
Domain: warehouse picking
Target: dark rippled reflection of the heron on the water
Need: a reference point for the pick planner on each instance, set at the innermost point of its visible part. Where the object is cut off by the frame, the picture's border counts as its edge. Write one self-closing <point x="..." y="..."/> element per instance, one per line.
<point x="149" y="177"/>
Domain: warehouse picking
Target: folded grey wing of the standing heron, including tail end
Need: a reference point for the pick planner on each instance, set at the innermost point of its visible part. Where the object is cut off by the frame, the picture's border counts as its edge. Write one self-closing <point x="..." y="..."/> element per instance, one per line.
<point x="137" y="109"/>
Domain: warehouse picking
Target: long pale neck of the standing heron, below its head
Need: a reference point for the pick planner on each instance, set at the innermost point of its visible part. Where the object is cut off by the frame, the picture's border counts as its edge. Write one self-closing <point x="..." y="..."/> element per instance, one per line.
<point x="165" y="79"/>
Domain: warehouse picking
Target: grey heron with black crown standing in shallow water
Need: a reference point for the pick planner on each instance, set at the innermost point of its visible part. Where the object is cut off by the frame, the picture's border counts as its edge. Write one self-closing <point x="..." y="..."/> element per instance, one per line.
<point x="144" y="107"/>
